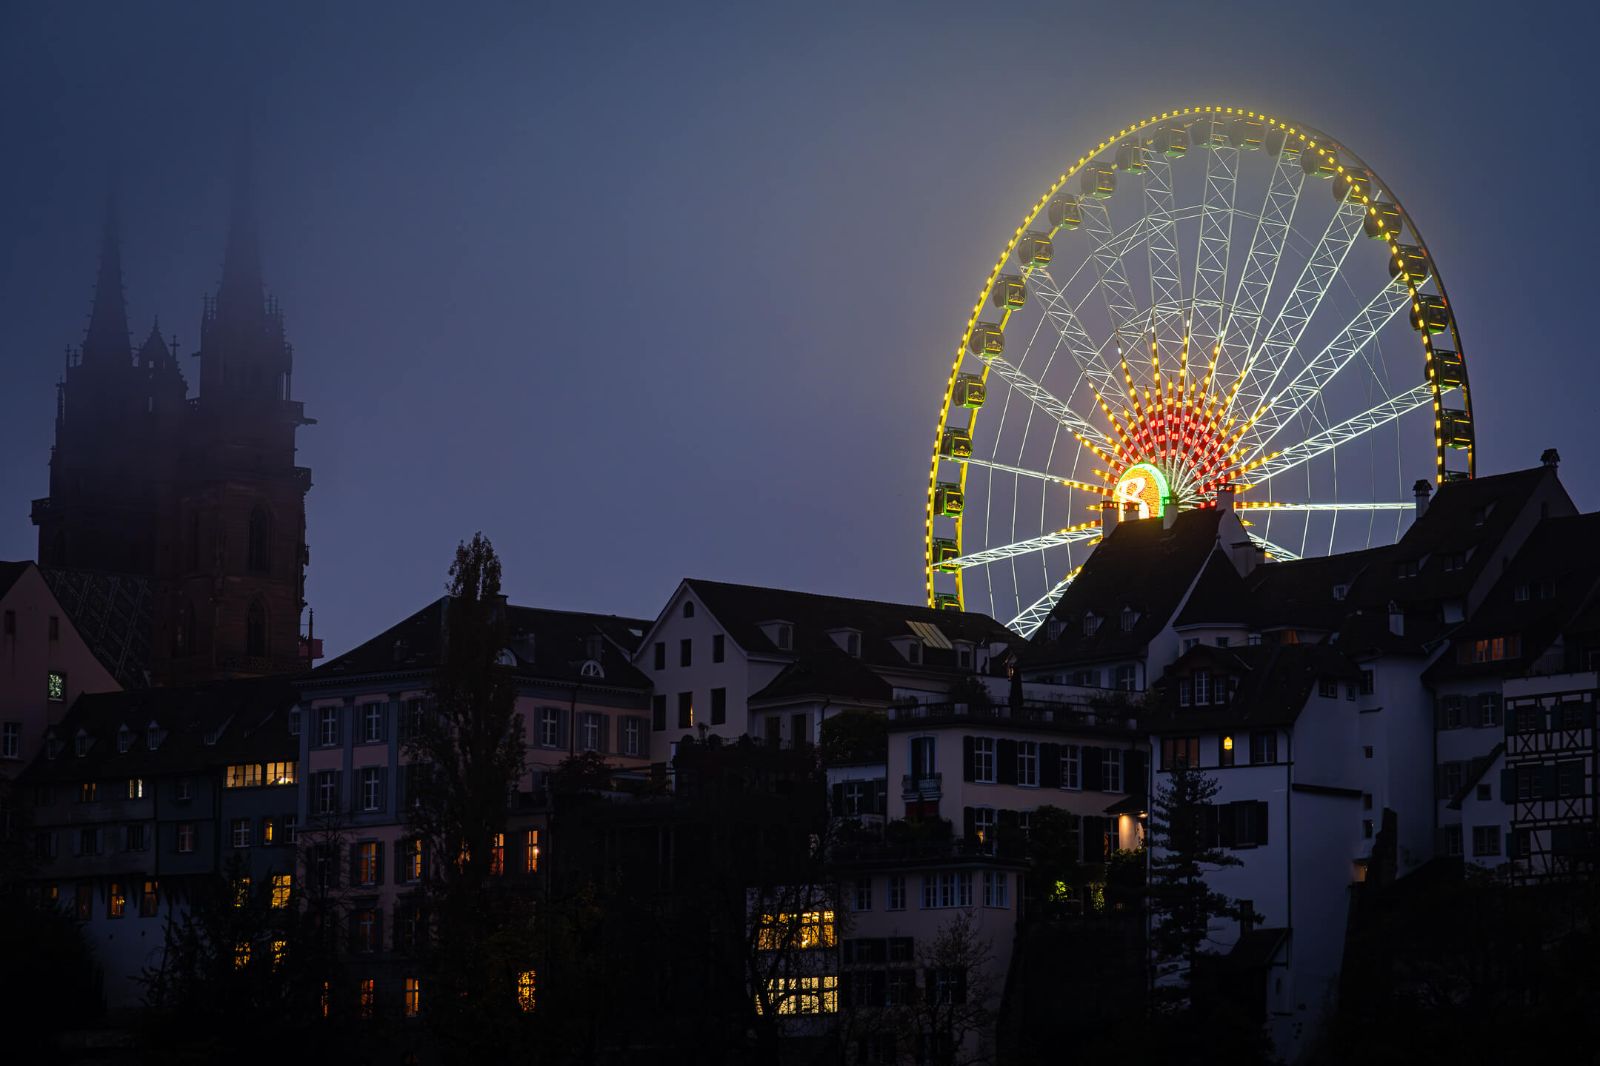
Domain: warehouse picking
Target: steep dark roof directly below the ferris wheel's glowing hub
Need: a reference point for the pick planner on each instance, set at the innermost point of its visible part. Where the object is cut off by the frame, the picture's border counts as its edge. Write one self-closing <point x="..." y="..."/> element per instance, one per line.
<point x="1142" y="566"/>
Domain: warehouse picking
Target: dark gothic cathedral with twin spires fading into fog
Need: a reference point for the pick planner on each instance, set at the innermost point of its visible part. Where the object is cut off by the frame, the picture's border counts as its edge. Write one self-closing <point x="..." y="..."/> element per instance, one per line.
<point x="198" y="495"/>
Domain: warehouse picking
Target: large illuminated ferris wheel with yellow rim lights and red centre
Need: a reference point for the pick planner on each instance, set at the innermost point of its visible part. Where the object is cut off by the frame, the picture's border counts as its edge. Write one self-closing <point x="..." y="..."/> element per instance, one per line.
<point x="1210" y="300"/>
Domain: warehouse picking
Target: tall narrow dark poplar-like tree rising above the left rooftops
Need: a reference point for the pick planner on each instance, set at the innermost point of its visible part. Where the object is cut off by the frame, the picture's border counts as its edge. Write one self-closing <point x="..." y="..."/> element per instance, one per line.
<point x="468" y="755"/>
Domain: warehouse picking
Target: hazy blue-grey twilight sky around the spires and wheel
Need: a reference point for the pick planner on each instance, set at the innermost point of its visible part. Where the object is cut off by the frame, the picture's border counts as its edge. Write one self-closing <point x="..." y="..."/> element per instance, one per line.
<point x="650" y="291"/>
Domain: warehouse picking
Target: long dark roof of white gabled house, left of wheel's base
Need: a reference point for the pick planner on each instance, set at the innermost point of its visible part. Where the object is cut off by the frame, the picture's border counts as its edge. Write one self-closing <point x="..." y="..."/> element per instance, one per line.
<point x="742" y="609"/>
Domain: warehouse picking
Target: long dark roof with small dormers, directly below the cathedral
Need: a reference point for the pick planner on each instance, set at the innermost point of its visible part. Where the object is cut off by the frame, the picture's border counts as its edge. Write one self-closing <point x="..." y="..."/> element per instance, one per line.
<point x="244" y="721"/>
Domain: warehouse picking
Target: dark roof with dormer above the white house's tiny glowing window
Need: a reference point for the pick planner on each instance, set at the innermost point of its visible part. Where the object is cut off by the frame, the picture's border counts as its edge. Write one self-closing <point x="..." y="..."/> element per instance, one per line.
<point x="1274" y="683"/>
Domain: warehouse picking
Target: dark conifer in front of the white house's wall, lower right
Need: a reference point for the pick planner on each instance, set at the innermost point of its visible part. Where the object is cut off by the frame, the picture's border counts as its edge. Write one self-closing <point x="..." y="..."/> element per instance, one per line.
<point x="1183" y="904"/>
